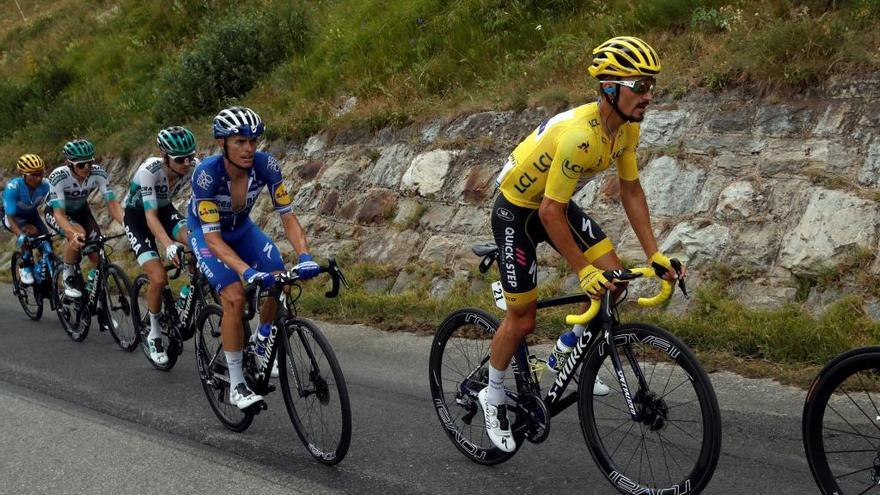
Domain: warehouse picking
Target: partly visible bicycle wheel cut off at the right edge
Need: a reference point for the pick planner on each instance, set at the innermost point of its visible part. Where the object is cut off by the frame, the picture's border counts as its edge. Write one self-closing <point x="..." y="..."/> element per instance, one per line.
<point x="842" y="397"/>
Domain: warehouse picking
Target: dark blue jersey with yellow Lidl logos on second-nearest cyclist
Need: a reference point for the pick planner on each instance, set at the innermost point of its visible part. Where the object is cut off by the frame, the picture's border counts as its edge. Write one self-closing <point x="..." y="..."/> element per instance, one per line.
<point x="211" y="204"/>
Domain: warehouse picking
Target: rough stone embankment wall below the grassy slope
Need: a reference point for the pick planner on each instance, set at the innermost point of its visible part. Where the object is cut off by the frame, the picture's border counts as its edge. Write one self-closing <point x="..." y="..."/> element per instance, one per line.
<point x="774" y="188"/>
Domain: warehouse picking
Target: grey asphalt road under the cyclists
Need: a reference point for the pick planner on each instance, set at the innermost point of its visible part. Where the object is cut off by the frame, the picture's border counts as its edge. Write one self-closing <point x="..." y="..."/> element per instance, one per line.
<point x="89" y="418"/>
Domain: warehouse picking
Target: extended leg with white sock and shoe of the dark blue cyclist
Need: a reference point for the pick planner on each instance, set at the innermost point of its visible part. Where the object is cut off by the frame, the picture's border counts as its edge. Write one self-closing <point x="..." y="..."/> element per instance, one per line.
<point x="226" y="282"/>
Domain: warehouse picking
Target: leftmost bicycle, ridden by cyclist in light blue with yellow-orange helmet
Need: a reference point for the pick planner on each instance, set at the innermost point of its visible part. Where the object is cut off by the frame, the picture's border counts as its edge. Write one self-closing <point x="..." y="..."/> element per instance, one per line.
<point x="32" y="296"/>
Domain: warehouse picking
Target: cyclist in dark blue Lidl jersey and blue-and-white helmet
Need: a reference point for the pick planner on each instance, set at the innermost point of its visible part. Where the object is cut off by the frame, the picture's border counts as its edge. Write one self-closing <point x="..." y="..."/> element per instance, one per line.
<point x="228" y="245"/>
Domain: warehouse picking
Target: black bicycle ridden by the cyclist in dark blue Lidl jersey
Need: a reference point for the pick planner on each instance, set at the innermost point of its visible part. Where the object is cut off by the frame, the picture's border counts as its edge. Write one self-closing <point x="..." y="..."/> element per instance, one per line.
<point x="309" y="374"/>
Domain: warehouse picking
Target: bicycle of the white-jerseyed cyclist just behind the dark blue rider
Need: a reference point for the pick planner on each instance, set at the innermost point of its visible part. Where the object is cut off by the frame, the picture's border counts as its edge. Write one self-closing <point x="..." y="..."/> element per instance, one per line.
<point x="178" y="314"/>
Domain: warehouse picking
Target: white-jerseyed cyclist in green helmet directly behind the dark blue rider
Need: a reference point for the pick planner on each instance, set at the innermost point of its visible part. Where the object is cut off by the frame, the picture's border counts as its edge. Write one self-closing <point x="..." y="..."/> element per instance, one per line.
<point x="150" y="215"/>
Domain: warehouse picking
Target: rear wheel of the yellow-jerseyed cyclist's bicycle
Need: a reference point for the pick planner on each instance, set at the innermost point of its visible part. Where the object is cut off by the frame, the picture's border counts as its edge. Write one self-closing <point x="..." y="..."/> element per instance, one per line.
<point x="469" y="331"/>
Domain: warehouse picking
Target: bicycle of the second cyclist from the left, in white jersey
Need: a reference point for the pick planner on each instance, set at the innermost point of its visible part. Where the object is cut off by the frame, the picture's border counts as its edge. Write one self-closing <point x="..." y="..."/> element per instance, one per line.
<point x="107" y="295"/>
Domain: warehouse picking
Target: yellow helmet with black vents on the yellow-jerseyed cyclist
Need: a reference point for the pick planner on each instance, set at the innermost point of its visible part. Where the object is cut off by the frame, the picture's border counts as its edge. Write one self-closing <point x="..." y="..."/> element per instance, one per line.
<point x="624" y="56"/>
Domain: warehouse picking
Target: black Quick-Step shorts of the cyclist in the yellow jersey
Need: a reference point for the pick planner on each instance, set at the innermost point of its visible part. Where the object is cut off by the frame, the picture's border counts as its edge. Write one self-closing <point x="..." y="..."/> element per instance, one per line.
<point x="518" y="231"/>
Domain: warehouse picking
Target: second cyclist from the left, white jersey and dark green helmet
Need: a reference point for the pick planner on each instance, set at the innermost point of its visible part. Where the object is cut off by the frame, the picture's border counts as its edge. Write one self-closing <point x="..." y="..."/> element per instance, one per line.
<point x="68" y="210"/>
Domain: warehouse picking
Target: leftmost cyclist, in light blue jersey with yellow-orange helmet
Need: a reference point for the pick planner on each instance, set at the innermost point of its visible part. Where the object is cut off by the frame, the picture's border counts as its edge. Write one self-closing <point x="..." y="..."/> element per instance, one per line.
<point x="21" y="199"/>
